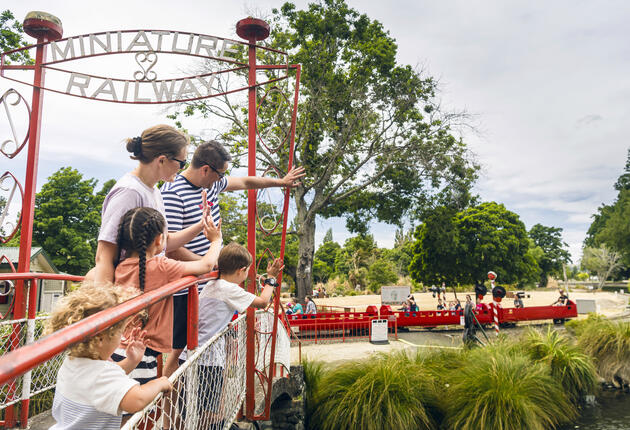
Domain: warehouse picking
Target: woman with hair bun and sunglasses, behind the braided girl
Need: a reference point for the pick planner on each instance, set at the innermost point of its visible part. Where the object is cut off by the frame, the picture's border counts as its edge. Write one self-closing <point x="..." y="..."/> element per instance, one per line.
<point x="161" y="152"/>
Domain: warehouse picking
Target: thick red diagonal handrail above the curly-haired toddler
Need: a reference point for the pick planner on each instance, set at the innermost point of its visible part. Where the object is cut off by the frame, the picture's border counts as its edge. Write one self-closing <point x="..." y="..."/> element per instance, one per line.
<point x="21" y="360"/>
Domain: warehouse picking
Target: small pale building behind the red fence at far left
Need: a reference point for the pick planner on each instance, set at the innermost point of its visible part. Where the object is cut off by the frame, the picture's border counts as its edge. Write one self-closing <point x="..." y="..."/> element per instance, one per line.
<point x="48" y="291"/>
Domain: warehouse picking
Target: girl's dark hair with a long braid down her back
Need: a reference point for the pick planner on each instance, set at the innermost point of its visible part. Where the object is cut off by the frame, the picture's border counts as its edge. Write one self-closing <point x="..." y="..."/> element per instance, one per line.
<point x="138" y="229"/>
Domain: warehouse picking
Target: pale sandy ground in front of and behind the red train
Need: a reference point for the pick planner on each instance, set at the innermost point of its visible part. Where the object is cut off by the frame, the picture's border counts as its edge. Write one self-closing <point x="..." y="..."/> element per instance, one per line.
<point x="612" y="305"/>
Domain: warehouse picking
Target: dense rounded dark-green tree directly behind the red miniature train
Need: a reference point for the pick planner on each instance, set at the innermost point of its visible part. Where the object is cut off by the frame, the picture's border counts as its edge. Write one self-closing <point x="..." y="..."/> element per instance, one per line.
<point x="464" y="246"/>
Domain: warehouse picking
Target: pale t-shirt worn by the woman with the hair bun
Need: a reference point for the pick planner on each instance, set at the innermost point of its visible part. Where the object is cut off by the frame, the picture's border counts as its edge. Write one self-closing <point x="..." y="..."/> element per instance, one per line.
<point x="128" y="193"/>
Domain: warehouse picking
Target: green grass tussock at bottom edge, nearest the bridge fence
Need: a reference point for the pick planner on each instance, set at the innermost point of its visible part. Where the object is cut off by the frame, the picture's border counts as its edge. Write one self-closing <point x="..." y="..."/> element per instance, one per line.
<point x="380" y="393"/>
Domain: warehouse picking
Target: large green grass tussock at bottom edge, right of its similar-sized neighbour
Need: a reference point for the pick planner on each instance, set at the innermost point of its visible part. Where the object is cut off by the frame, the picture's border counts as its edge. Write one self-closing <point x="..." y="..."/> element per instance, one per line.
<point x="499" y="388"/>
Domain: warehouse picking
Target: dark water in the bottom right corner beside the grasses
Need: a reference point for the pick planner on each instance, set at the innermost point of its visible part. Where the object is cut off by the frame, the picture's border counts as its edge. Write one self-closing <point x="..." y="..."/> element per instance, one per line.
<point x="611" y="412"/>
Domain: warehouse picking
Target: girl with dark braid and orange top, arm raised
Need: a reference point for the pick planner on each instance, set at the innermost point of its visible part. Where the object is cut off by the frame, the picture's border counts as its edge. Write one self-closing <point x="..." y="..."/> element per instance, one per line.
<point x="141" y="236"/>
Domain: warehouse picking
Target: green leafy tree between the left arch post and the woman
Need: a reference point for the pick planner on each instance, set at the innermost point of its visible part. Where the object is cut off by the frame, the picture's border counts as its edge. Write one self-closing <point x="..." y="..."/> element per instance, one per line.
<point x="67" y="219"/>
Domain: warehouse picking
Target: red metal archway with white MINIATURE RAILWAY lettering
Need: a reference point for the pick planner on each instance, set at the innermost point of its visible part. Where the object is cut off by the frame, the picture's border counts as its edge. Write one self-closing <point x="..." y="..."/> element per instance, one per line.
<point x="145" y="44"/>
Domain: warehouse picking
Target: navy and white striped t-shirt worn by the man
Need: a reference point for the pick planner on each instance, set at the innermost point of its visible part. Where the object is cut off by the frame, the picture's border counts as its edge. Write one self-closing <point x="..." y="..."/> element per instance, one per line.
<point x="183" y="207"/>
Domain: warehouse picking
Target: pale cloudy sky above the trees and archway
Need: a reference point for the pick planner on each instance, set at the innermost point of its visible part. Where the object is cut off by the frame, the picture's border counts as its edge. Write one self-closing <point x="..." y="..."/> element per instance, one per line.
<point x="546" y="82"/>
